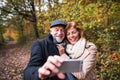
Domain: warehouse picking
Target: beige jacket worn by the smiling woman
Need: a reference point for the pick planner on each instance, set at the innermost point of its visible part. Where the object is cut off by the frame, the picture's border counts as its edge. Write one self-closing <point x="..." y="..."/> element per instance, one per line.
<point x="89" y="60"/>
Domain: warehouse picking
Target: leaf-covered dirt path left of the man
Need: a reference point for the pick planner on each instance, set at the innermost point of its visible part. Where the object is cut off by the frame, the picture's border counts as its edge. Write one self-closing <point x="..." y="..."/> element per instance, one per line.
<point x="13" y="60"/>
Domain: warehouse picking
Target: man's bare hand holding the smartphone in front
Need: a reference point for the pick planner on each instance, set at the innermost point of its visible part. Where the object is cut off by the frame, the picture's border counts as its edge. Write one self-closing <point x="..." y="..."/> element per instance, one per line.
<point x="50" y="68"/>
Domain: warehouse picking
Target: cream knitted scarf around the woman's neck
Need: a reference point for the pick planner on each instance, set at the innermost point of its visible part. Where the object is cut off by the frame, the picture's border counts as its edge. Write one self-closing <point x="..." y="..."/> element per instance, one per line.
<point x="77" y="49"/>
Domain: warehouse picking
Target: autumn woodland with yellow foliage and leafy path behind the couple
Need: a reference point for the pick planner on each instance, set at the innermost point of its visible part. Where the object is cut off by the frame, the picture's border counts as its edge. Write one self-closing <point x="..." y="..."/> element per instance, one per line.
<point x="24" y="21"/>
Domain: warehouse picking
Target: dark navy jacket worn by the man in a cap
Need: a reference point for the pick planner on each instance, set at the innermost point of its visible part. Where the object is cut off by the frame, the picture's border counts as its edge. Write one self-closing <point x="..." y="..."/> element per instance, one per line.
<point x="40" y="51"/>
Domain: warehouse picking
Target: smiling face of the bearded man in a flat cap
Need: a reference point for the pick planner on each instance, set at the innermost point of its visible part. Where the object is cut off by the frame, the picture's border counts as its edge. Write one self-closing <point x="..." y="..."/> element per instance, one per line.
<point x="58" y="33"/>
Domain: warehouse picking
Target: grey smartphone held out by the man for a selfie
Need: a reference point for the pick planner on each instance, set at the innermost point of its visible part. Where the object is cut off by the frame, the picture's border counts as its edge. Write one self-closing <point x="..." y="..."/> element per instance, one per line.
<point x="71" y="65"/>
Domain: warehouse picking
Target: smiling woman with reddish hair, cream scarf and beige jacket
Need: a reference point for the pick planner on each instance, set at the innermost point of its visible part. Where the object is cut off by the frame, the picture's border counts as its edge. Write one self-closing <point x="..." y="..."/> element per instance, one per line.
<point x="79" y="48"/>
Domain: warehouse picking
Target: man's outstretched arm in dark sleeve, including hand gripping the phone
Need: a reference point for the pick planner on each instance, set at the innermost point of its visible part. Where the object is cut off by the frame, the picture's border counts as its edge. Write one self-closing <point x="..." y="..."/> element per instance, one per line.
<point x="38" y="68"/>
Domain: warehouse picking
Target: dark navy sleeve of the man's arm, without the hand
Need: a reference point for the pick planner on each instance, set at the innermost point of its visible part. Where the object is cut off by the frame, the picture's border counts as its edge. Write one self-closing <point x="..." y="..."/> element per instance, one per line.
<point x="36" y="60"/>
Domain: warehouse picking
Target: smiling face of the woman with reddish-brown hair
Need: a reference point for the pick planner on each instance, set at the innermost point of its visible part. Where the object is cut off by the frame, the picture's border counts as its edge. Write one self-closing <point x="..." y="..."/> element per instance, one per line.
<point x="72" y="35"/>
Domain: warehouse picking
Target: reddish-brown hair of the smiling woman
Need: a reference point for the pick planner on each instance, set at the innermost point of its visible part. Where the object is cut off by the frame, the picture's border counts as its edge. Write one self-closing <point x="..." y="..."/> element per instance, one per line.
<point x="77" y="27"/>
